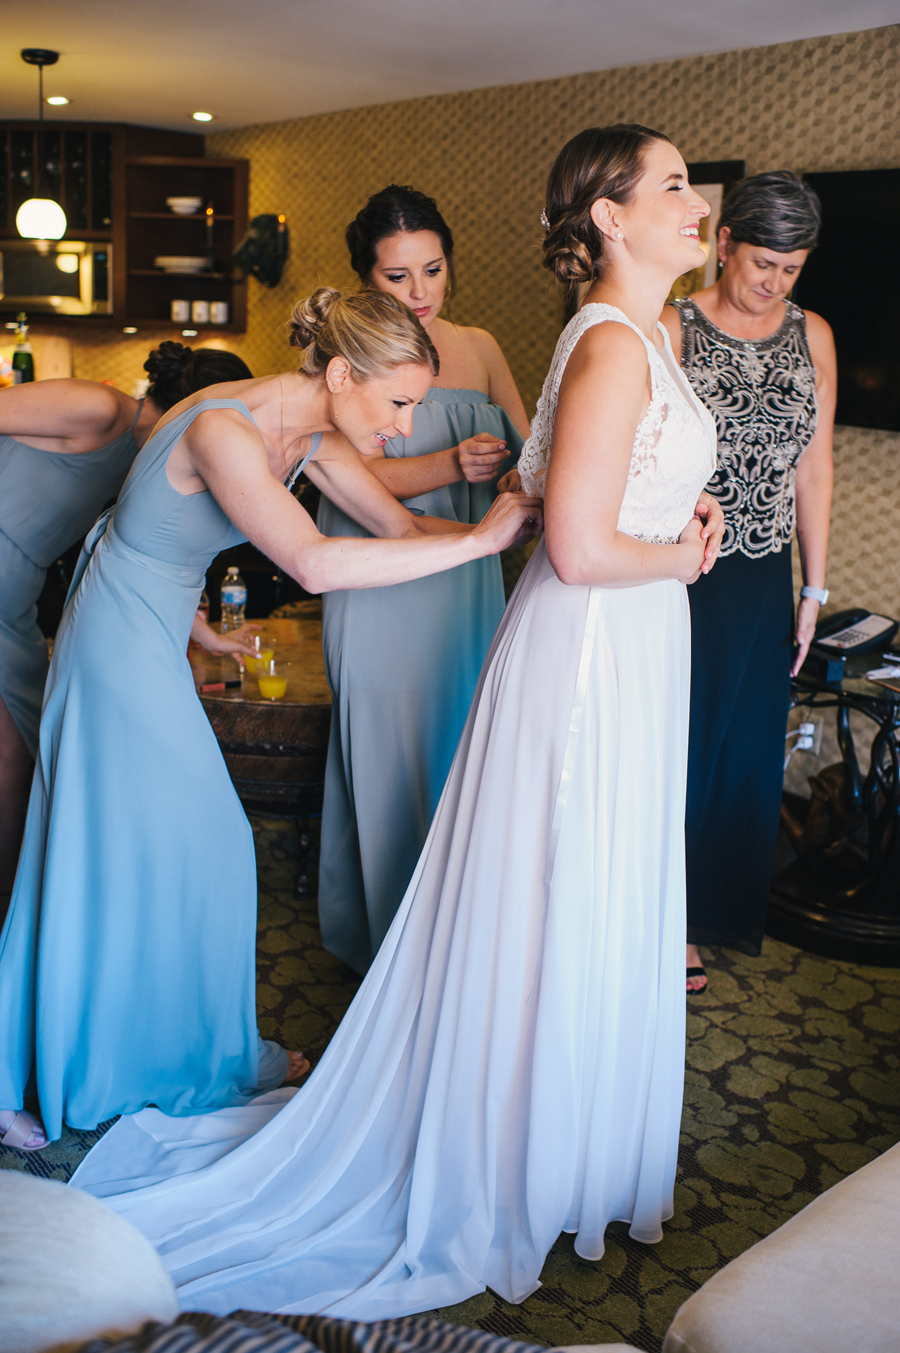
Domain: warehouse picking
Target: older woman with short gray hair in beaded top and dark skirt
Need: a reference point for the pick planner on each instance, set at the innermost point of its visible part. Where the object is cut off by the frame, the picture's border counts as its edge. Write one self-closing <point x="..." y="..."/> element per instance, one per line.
<point x="767" y="371"/>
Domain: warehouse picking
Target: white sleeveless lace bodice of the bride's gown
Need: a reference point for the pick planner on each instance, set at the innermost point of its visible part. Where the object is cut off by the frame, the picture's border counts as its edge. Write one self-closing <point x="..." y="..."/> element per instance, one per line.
<point x="675" y="450"/>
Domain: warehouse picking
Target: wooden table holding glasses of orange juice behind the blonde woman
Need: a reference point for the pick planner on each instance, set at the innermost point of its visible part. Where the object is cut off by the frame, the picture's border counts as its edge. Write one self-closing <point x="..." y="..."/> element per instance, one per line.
<point x="275" y="750"/>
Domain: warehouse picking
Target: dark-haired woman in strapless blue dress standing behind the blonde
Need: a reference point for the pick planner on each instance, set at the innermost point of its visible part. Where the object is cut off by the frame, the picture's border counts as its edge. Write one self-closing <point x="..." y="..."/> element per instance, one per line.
<point x="404" y="662"/>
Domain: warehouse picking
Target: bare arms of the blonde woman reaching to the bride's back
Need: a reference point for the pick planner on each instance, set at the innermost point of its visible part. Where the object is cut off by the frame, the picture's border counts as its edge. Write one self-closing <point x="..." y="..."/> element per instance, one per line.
<point x="229" y="457"/>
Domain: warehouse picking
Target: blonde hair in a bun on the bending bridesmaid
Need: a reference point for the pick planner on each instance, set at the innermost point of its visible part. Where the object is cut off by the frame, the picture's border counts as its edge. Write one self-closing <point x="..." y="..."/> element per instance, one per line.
<point x="372" y="331"/>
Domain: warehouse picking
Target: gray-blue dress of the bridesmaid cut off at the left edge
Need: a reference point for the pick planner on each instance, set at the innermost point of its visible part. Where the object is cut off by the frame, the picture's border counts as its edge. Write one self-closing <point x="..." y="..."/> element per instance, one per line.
<point x="48" y="501"/>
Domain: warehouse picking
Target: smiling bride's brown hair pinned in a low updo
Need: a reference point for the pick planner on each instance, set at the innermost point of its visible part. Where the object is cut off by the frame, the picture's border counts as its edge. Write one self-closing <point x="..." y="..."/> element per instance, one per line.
<point x="598" y="163"/>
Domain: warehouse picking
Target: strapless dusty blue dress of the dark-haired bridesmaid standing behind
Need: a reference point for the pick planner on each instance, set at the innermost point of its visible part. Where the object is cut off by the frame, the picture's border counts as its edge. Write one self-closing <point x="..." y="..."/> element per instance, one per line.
<point x="403" y="664"/>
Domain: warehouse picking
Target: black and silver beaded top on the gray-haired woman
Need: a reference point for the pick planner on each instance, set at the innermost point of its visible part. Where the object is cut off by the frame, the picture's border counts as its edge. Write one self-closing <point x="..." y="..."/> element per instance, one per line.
<point x="763" y="396"/>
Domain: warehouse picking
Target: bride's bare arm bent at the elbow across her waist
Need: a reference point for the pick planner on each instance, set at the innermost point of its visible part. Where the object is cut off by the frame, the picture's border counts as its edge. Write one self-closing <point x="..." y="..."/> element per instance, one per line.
<point x="603" y="398"/>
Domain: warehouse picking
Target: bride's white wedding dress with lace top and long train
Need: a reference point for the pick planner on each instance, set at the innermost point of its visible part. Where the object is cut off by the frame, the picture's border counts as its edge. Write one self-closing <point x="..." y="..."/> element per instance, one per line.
<point x="514" y="1063"/>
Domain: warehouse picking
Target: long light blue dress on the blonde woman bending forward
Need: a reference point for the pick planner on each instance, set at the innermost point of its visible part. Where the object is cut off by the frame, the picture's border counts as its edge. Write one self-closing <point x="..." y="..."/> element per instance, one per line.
<point x="128" y="959"/>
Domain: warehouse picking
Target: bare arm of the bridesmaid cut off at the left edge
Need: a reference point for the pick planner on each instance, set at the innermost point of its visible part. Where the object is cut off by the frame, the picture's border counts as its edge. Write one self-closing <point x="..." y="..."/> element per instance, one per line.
<point x="66" y="415"/>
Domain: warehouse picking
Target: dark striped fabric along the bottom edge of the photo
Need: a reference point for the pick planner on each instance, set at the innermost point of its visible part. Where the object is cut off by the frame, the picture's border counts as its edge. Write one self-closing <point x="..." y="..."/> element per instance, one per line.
<point x="251" y="1332"/>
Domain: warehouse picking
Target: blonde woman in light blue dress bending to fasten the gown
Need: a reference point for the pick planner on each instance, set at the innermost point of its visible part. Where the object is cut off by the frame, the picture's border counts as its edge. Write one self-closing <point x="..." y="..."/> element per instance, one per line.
<point x="128" y="959"/>
